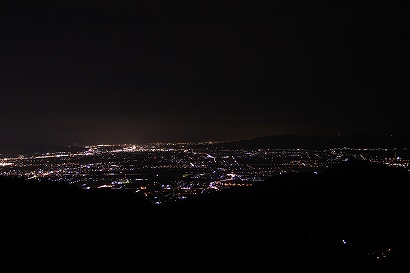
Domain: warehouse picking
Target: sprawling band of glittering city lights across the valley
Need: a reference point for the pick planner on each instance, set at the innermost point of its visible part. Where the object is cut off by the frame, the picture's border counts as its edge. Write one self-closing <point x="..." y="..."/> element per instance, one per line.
<point x="167" y="172"/>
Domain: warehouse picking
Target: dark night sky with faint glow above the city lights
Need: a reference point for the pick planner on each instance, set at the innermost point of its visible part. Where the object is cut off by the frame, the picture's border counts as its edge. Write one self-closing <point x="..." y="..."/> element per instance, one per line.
<point x="90" y="72"/>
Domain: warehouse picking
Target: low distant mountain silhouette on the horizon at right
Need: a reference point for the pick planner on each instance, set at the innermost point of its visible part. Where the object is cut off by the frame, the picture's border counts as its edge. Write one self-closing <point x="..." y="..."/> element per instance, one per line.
<point x="319" y="142"/>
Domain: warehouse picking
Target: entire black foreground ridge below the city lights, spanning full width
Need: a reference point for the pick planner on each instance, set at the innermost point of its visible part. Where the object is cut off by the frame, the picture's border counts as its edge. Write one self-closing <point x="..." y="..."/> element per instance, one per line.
<point x="351" y="217"/>
